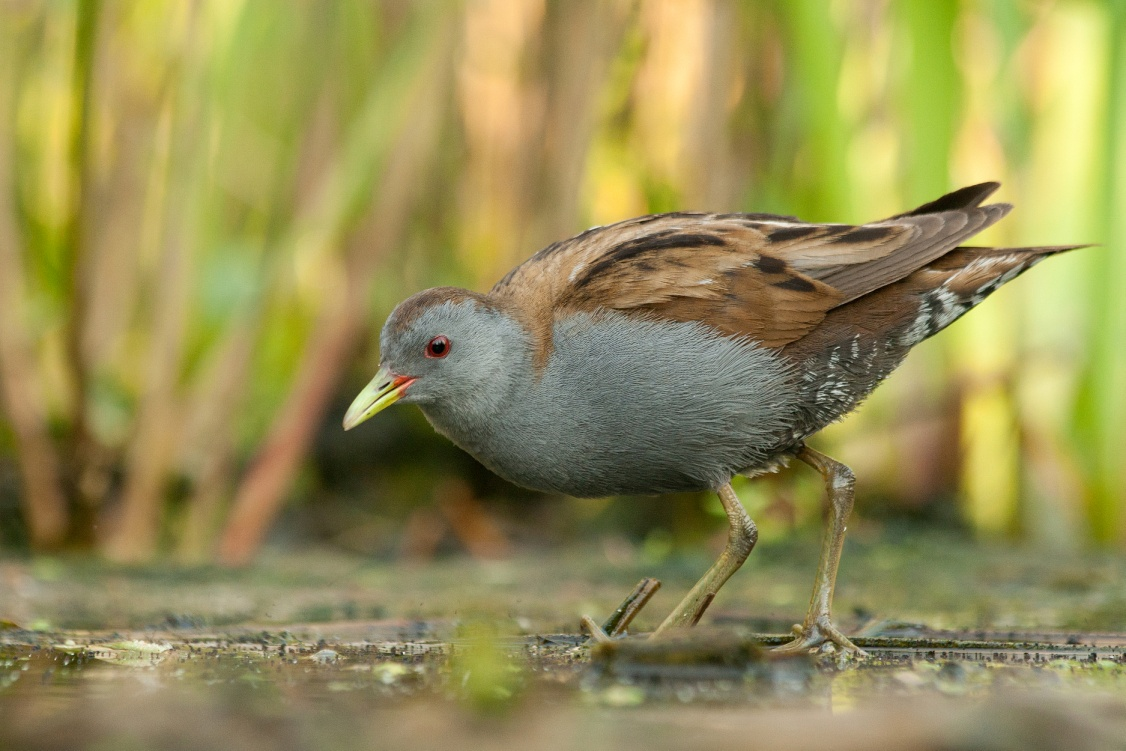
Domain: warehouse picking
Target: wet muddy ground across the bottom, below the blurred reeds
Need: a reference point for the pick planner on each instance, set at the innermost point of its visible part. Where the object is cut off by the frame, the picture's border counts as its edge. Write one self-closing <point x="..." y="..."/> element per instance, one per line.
<point x="972" y="647"/>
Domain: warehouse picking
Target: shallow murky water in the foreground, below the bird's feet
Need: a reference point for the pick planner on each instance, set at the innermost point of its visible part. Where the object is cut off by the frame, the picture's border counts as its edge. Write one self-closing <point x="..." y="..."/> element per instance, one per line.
<point x="288" y="691"/>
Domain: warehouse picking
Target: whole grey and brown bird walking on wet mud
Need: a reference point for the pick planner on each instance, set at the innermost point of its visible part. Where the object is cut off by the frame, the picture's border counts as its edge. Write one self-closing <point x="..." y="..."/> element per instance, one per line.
<point x="674" y="352"/>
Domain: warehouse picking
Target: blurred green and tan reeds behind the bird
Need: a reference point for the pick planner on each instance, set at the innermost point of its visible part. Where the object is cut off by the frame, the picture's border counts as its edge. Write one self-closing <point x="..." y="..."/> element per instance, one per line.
<point x="208" y="209"/>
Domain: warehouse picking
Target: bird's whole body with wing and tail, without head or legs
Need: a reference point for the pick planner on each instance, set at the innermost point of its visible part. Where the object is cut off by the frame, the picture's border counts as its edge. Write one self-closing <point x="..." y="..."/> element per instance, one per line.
<point x="672" y="352"/>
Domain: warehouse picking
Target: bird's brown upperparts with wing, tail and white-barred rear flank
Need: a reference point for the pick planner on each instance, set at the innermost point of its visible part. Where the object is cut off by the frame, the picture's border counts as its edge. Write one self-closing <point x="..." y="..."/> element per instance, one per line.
<point x="841" y="305"/>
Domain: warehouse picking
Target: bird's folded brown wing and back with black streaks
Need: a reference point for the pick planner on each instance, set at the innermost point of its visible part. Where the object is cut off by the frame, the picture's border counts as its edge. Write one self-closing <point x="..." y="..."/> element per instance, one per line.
<point x="771" y="279"/>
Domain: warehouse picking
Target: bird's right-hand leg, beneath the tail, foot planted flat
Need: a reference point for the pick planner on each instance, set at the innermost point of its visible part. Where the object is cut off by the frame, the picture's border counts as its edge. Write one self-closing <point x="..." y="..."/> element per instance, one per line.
<point x="819" y="628"/>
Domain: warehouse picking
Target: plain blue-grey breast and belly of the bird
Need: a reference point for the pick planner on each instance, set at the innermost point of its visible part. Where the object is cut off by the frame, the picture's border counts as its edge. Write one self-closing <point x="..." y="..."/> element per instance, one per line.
<point x="639" y="406"/>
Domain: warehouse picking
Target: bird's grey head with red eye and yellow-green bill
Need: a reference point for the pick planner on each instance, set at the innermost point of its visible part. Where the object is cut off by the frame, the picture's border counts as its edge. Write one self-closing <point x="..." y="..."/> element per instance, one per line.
<point x="444" y="348"/>
